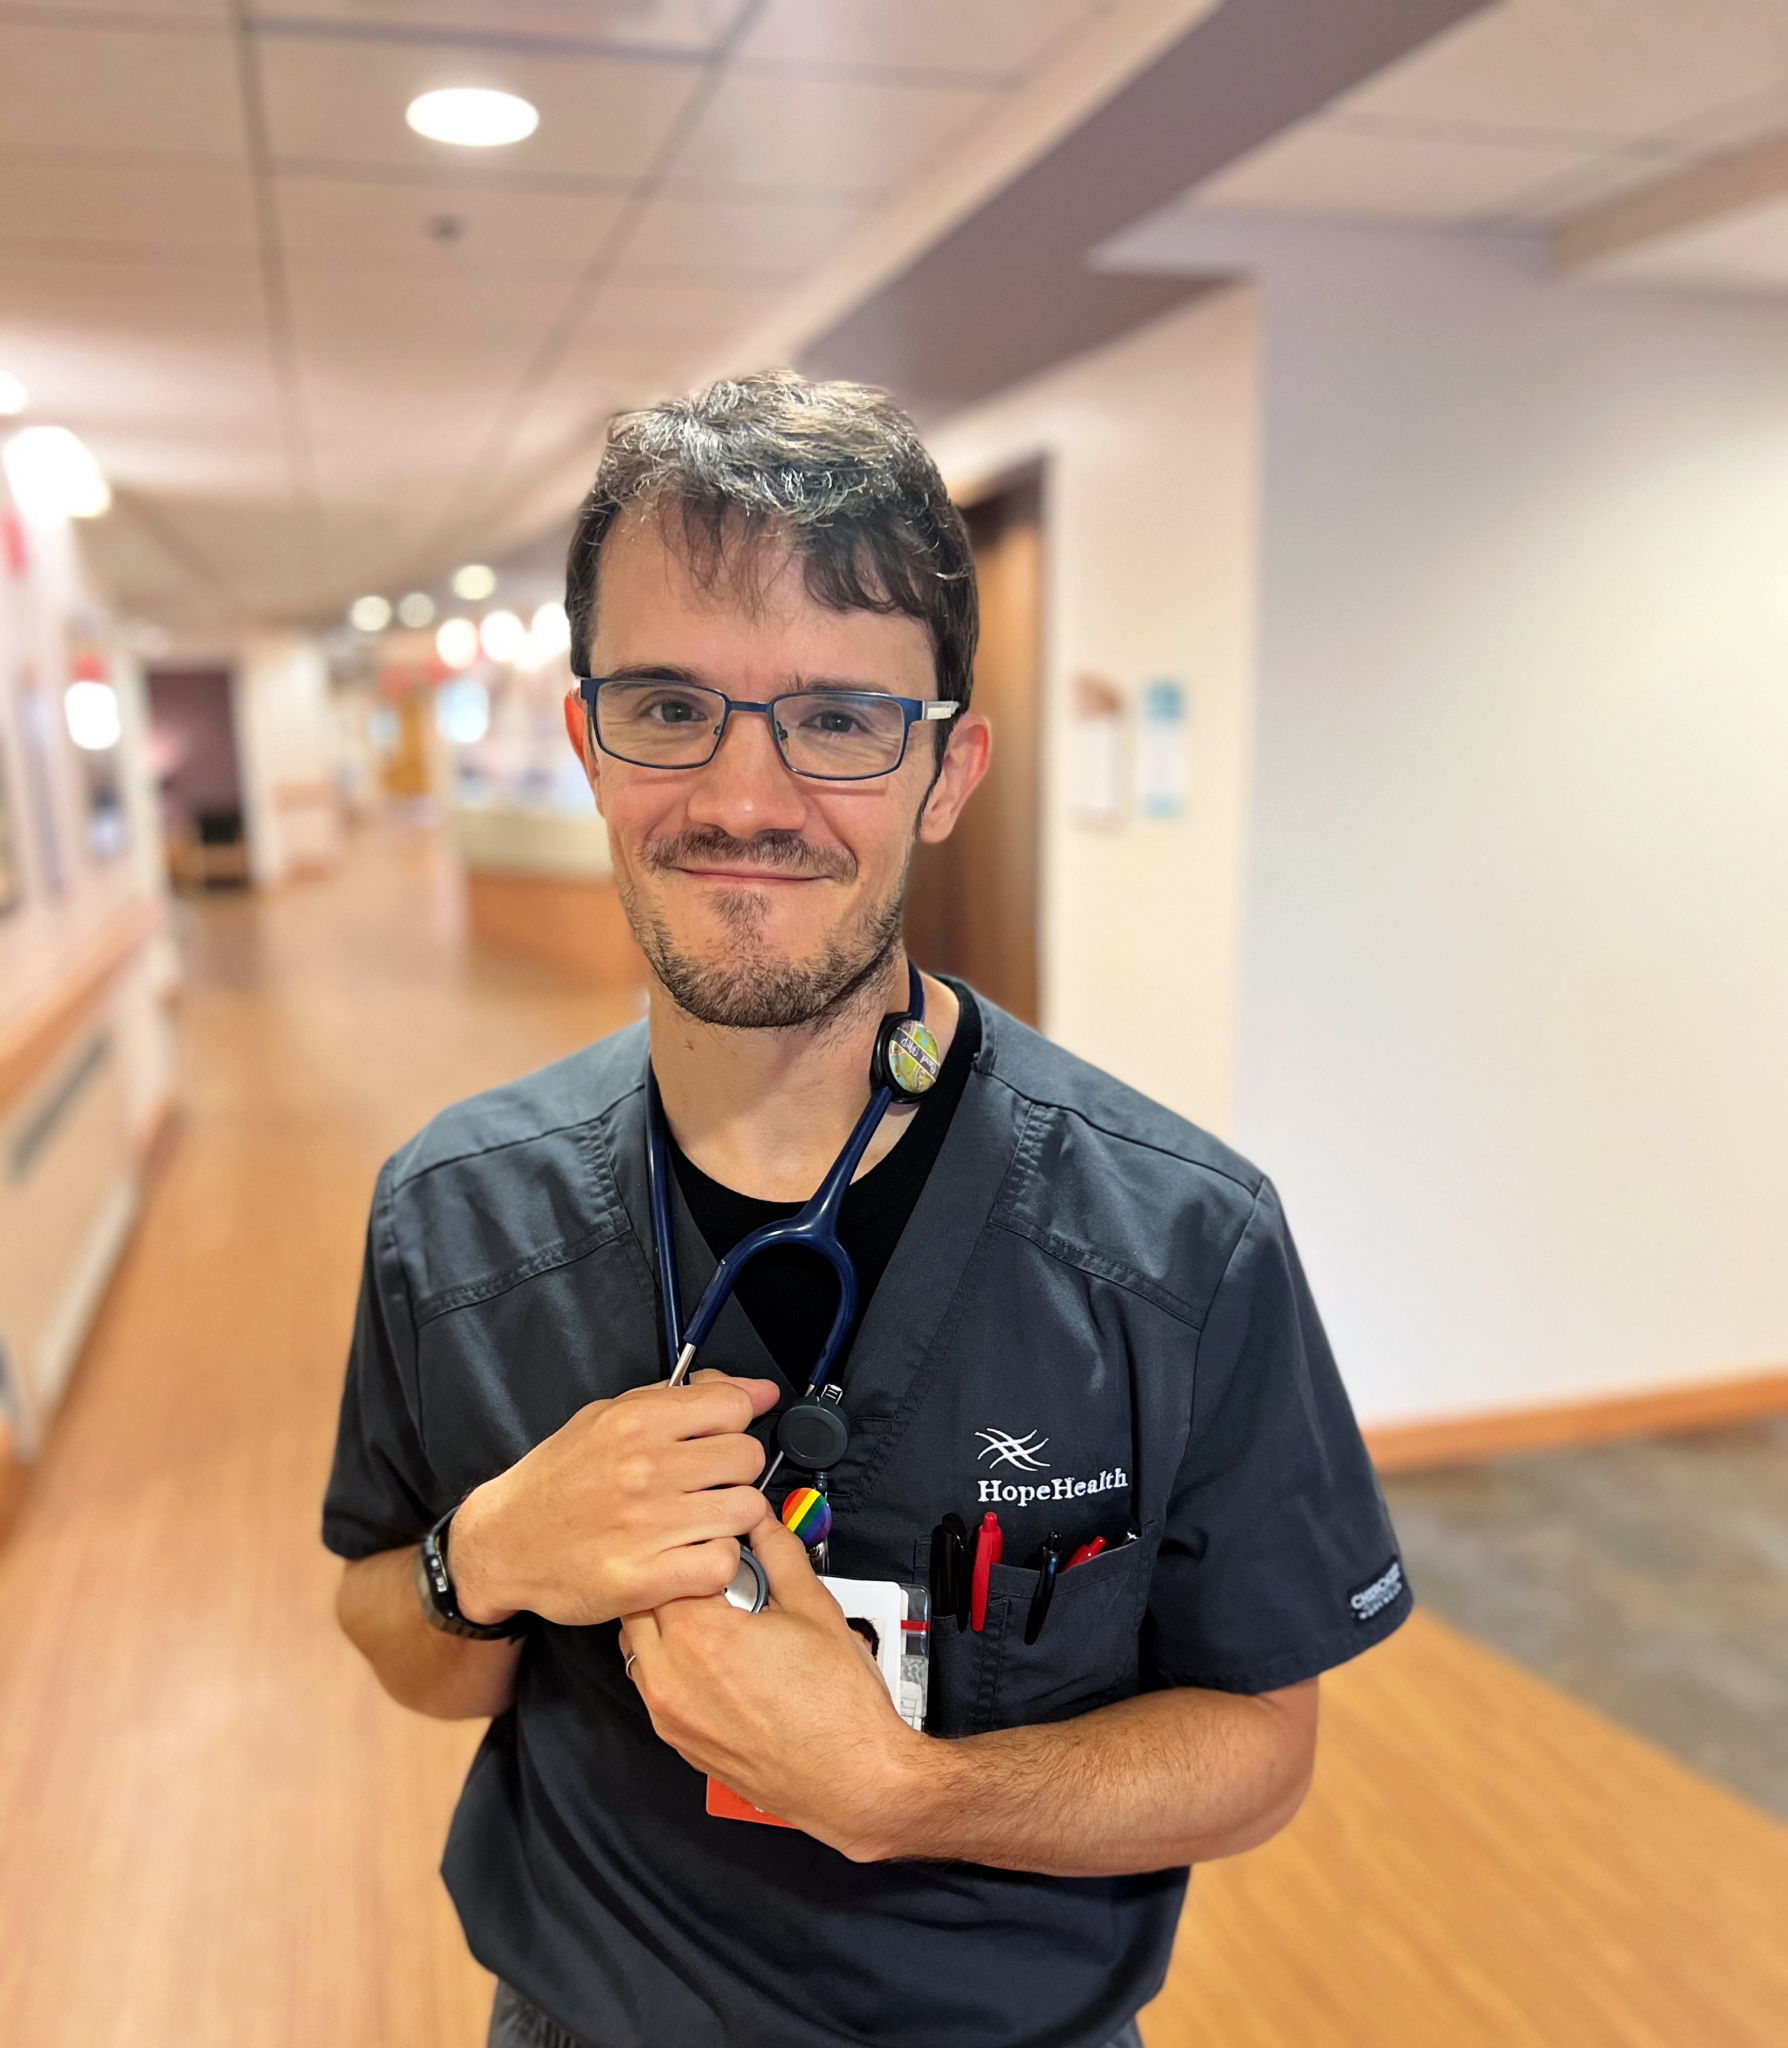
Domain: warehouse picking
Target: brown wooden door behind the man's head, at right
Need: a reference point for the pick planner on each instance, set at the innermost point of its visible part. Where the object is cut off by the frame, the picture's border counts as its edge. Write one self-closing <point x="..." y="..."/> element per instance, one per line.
<point x="972" y="904"/>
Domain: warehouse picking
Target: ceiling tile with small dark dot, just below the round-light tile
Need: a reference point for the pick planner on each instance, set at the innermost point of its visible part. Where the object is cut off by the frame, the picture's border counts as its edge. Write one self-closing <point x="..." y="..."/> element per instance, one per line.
<point x="443" y="226"/>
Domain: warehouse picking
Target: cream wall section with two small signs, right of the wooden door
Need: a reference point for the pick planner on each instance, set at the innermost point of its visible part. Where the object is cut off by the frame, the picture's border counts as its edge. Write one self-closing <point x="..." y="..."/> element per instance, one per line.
<point x="1150" y="544"/>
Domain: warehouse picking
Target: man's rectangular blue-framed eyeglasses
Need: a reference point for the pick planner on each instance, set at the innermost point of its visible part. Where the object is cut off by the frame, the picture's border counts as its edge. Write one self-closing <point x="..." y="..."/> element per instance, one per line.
<point x="835" y="736"/>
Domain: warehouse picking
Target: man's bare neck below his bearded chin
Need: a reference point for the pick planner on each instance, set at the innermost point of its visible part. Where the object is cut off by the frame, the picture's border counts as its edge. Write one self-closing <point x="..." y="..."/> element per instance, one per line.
<point x="769" y="1111"/>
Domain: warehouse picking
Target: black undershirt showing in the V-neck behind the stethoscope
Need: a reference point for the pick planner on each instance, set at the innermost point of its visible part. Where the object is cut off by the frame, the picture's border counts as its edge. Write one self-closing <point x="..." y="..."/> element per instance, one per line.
<point x="792" y="1295"/>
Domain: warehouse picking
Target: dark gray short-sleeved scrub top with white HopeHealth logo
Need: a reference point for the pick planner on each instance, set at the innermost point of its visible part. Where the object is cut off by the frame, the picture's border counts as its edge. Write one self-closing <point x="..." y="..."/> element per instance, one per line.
<point x="1095" y="1322"/>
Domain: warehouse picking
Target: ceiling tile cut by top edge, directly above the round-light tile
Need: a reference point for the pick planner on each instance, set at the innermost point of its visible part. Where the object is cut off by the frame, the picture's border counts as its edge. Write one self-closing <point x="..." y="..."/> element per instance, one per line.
<point x="671" y="26"/>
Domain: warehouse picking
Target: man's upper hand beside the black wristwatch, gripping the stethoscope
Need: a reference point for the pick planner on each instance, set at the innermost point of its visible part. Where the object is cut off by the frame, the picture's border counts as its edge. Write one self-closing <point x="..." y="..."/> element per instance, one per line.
<point x="632" y="1504"/>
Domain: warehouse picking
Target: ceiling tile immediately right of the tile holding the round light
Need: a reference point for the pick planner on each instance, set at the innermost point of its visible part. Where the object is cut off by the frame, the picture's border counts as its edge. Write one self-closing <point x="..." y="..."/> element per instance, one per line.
<point x="824" y="136"/>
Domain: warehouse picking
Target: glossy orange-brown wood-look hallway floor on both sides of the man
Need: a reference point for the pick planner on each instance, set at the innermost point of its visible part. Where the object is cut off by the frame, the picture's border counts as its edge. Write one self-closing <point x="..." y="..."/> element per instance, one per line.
<point x="216" y="1834"/>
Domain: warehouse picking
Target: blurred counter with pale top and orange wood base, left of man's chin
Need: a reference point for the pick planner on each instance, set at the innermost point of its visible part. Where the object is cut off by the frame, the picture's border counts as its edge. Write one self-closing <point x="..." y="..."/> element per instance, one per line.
<point x="538" y="884"/>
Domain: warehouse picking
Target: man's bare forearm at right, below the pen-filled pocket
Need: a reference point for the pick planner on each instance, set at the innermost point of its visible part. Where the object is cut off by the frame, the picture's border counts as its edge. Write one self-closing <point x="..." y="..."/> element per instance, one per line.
<point x="1148" y="1785"/>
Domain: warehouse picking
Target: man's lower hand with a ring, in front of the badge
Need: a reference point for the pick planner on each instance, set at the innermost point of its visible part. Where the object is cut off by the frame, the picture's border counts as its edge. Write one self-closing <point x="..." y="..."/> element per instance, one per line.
<point x="783" y="1707"/>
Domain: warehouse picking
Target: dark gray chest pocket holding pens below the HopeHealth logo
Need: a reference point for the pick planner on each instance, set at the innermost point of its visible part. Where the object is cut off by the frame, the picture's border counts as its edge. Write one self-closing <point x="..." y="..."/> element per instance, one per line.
<point x="1084" y="1658"/>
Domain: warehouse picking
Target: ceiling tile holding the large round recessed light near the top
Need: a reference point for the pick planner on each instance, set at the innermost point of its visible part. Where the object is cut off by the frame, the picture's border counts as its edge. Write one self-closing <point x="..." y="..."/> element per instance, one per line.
<point x="343" y="103"/>
